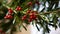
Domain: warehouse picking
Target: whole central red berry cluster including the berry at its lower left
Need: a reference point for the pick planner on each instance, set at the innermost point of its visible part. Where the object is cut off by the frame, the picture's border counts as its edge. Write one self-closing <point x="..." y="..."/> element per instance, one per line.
<point x="32" y="16"/>
